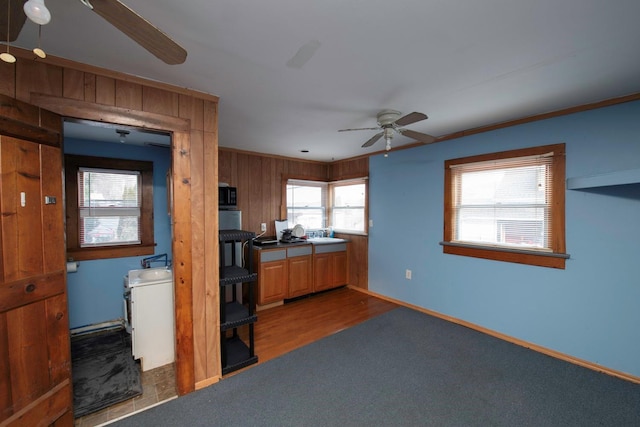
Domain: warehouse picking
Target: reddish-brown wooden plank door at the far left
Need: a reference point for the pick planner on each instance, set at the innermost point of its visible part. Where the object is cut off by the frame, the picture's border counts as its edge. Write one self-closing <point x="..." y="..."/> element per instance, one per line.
<point x="35" y="367"/>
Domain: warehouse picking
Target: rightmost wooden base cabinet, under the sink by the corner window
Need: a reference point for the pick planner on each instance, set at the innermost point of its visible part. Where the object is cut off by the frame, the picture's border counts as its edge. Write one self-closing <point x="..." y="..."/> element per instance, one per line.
<point x="330" y="266"/>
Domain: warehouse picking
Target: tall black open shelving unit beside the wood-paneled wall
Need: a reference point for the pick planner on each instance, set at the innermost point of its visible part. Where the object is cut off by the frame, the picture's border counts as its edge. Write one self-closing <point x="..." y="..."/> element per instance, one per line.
<point x="236" y="353"/>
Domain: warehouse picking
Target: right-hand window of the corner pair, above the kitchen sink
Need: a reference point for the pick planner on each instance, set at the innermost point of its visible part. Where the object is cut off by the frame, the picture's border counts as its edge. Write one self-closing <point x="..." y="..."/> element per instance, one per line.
<point x="348" y="205"/>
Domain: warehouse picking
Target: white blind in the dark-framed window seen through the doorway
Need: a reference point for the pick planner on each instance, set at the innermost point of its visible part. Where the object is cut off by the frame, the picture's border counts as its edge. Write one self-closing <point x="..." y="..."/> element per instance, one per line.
<point x="109" y="204"/>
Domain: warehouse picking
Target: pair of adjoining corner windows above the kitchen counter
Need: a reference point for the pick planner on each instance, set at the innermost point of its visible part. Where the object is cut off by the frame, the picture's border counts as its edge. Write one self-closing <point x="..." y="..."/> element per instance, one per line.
<point x="318" y="204"/>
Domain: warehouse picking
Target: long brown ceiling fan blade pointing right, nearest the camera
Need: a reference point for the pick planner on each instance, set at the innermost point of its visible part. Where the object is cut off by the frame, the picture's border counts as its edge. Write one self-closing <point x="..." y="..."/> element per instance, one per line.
<point x="139" y="30"/>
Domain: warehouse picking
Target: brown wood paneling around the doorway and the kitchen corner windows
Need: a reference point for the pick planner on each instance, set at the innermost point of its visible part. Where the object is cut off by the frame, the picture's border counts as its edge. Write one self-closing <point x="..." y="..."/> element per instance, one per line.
<point x="86" y="92"/>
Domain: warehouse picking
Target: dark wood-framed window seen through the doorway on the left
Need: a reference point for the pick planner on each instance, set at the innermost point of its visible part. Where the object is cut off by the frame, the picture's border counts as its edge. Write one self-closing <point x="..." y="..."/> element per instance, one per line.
<point x="109" y="207"/>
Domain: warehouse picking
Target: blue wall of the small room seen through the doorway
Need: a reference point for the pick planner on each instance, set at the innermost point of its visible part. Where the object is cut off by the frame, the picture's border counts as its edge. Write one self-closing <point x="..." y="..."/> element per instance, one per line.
<point x="95" y="291"/>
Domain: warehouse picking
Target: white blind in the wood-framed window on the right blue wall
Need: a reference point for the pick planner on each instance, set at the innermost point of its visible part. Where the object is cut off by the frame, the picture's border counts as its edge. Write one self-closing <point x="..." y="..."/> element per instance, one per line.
<point x="504" y="202"/>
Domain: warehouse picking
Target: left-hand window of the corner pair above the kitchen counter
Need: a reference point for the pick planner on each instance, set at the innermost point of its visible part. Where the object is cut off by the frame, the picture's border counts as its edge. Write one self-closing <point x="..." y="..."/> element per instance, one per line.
<point x="307" y="203"/>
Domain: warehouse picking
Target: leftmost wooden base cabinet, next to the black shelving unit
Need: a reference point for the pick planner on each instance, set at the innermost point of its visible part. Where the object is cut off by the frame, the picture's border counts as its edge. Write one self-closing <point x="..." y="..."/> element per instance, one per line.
<point x="272" y="270"/>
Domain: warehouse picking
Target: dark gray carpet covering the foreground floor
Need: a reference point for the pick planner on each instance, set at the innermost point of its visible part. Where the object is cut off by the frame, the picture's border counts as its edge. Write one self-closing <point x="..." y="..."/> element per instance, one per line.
<point x="406" y="368"/>
